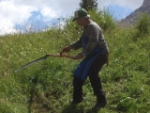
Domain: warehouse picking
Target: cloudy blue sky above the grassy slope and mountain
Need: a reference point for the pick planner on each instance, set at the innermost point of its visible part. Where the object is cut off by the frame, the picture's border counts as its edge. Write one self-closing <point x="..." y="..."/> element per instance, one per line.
<point x="22" y="15"/>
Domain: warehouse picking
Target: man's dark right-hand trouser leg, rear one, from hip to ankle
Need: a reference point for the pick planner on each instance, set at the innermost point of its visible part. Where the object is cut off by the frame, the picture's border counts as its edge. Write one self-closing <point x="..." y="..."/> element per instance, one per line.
<point x="95" y="80"/>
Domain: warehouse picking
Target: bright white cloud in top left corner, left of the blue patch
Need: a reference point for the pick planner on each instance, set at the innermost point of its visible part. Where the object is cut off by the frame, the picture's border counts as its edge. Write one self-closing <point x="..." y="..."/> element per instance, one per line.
<point x="12" y="14"/>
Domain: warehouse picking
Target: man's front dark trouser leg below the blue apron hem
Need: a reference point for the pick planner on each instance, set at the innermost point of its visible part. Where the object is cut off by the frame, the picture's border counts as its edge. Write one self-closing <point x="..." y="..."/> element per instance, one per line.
<point x="77" y="89"/>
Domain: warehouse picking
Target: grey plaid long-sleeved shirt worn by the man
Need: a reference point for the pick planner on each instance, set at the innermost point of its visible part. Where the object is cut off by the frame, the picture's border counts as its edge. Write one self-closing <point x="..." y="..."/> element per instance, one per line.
<point x="95" y="39"/>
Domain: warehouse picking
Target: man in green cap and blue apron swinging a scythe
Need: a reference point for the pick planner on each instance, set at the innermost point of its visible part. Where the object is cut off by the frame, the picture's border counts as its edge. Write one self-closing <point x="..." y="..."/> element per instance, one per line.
<point x="95" y="52"/>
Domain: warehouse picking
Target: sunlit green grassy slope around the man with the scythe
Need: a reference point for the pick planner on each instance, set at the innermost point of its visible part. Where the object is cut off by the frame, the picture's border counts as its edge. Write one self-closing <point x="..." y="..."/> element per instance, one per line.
<point x="46" y="87"/>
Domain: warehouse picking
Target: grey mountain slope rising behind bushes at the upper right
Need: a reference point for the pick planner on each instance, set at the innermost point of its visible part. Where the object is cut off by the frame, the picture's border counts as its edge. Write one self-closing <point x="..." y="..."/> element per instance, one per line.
<point x="131" y="19"/>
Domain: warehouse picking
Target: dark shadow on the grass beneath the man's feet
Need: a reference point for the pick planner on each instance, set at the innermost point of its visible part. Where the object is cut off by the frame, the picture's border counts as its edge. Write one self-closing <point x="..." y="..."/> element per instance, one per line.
<point x="78" y="109"/>
